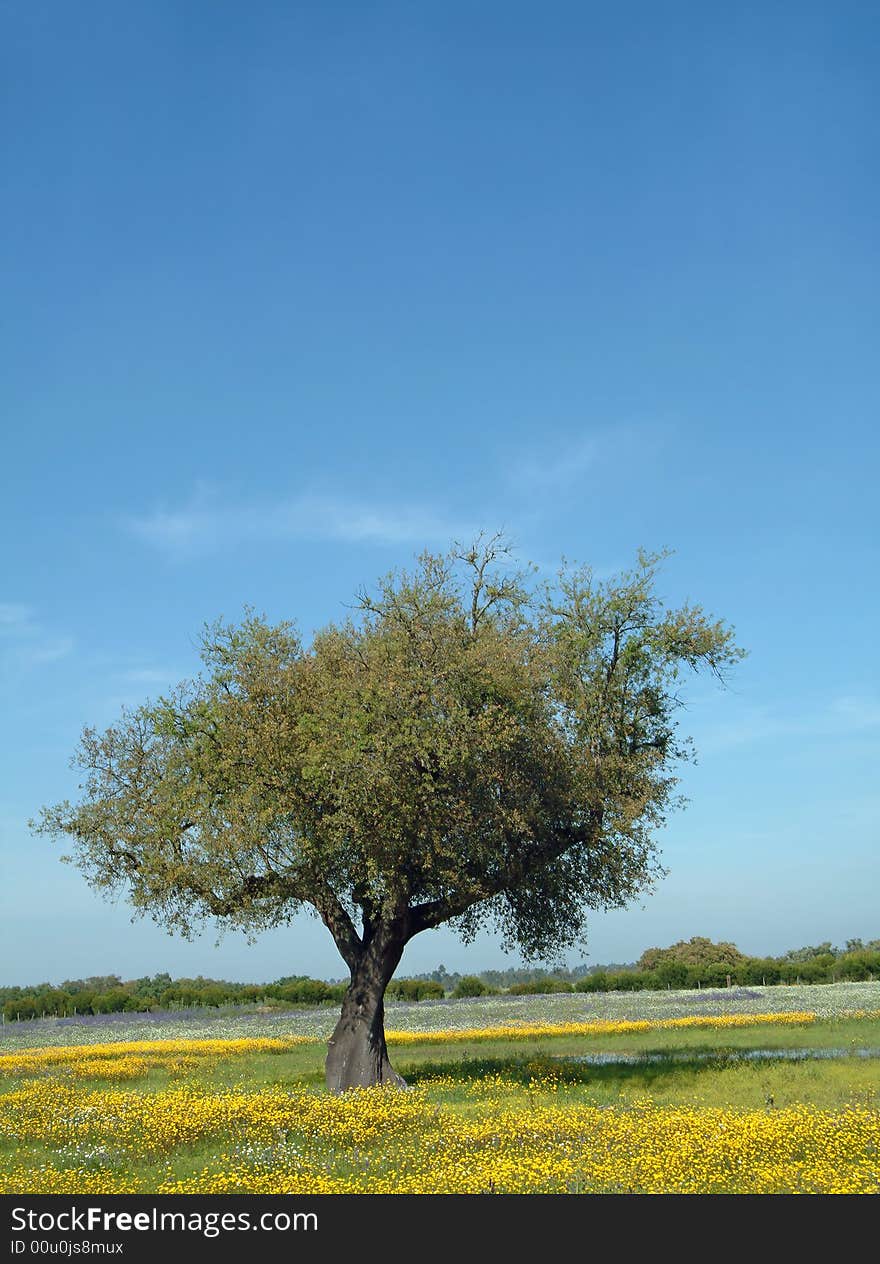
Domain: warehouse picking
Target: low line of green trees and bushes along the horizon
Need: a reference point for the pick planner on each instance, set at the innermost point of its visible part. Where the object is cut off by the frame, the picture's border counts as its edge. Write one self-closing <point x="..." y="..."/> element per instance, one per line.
<point x="695" y="963"/>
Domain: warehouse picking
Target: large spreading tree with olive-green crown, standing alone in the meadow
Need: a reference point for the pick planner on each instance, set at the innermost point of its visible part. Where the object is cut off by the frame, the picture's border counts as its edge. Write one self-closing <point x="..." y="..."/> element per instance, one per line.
<point x="470" y="749"/>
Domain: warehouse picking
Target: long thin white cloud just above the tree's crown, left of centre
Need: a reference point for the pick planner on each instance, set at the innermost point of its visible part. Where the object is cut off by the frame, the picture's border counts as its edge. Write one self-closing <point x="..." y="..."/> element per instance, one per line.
<point x="207" y="524"/>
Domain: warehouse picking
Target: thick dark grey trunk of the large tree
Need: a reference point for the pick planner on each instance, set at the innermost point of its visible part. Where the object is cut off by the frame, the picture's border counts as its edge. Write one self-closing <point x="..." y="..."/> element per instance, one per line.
<point x="357" y="1051"/>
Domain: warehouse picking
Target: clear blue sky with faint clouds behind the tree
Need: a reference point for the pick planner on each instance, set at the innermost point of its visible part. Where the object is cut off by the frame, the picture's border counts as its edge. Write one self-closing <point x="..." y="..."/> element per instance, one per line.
<point x="295" y="291"/>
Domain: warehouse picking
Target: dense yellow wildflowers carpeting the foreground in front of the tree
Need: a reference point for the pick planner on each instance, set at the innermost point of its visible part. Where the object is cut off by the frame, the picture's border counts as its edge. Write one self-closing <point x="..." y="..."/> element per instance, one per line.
<point x="509" y="1138"/>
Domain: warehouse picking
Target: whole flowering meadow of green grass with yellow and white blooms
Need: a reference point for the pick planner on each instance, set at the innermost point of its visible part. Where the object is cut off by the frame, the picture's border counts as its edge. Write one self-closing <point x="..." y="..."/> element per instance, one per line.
<point x="676" y="1108"/>
